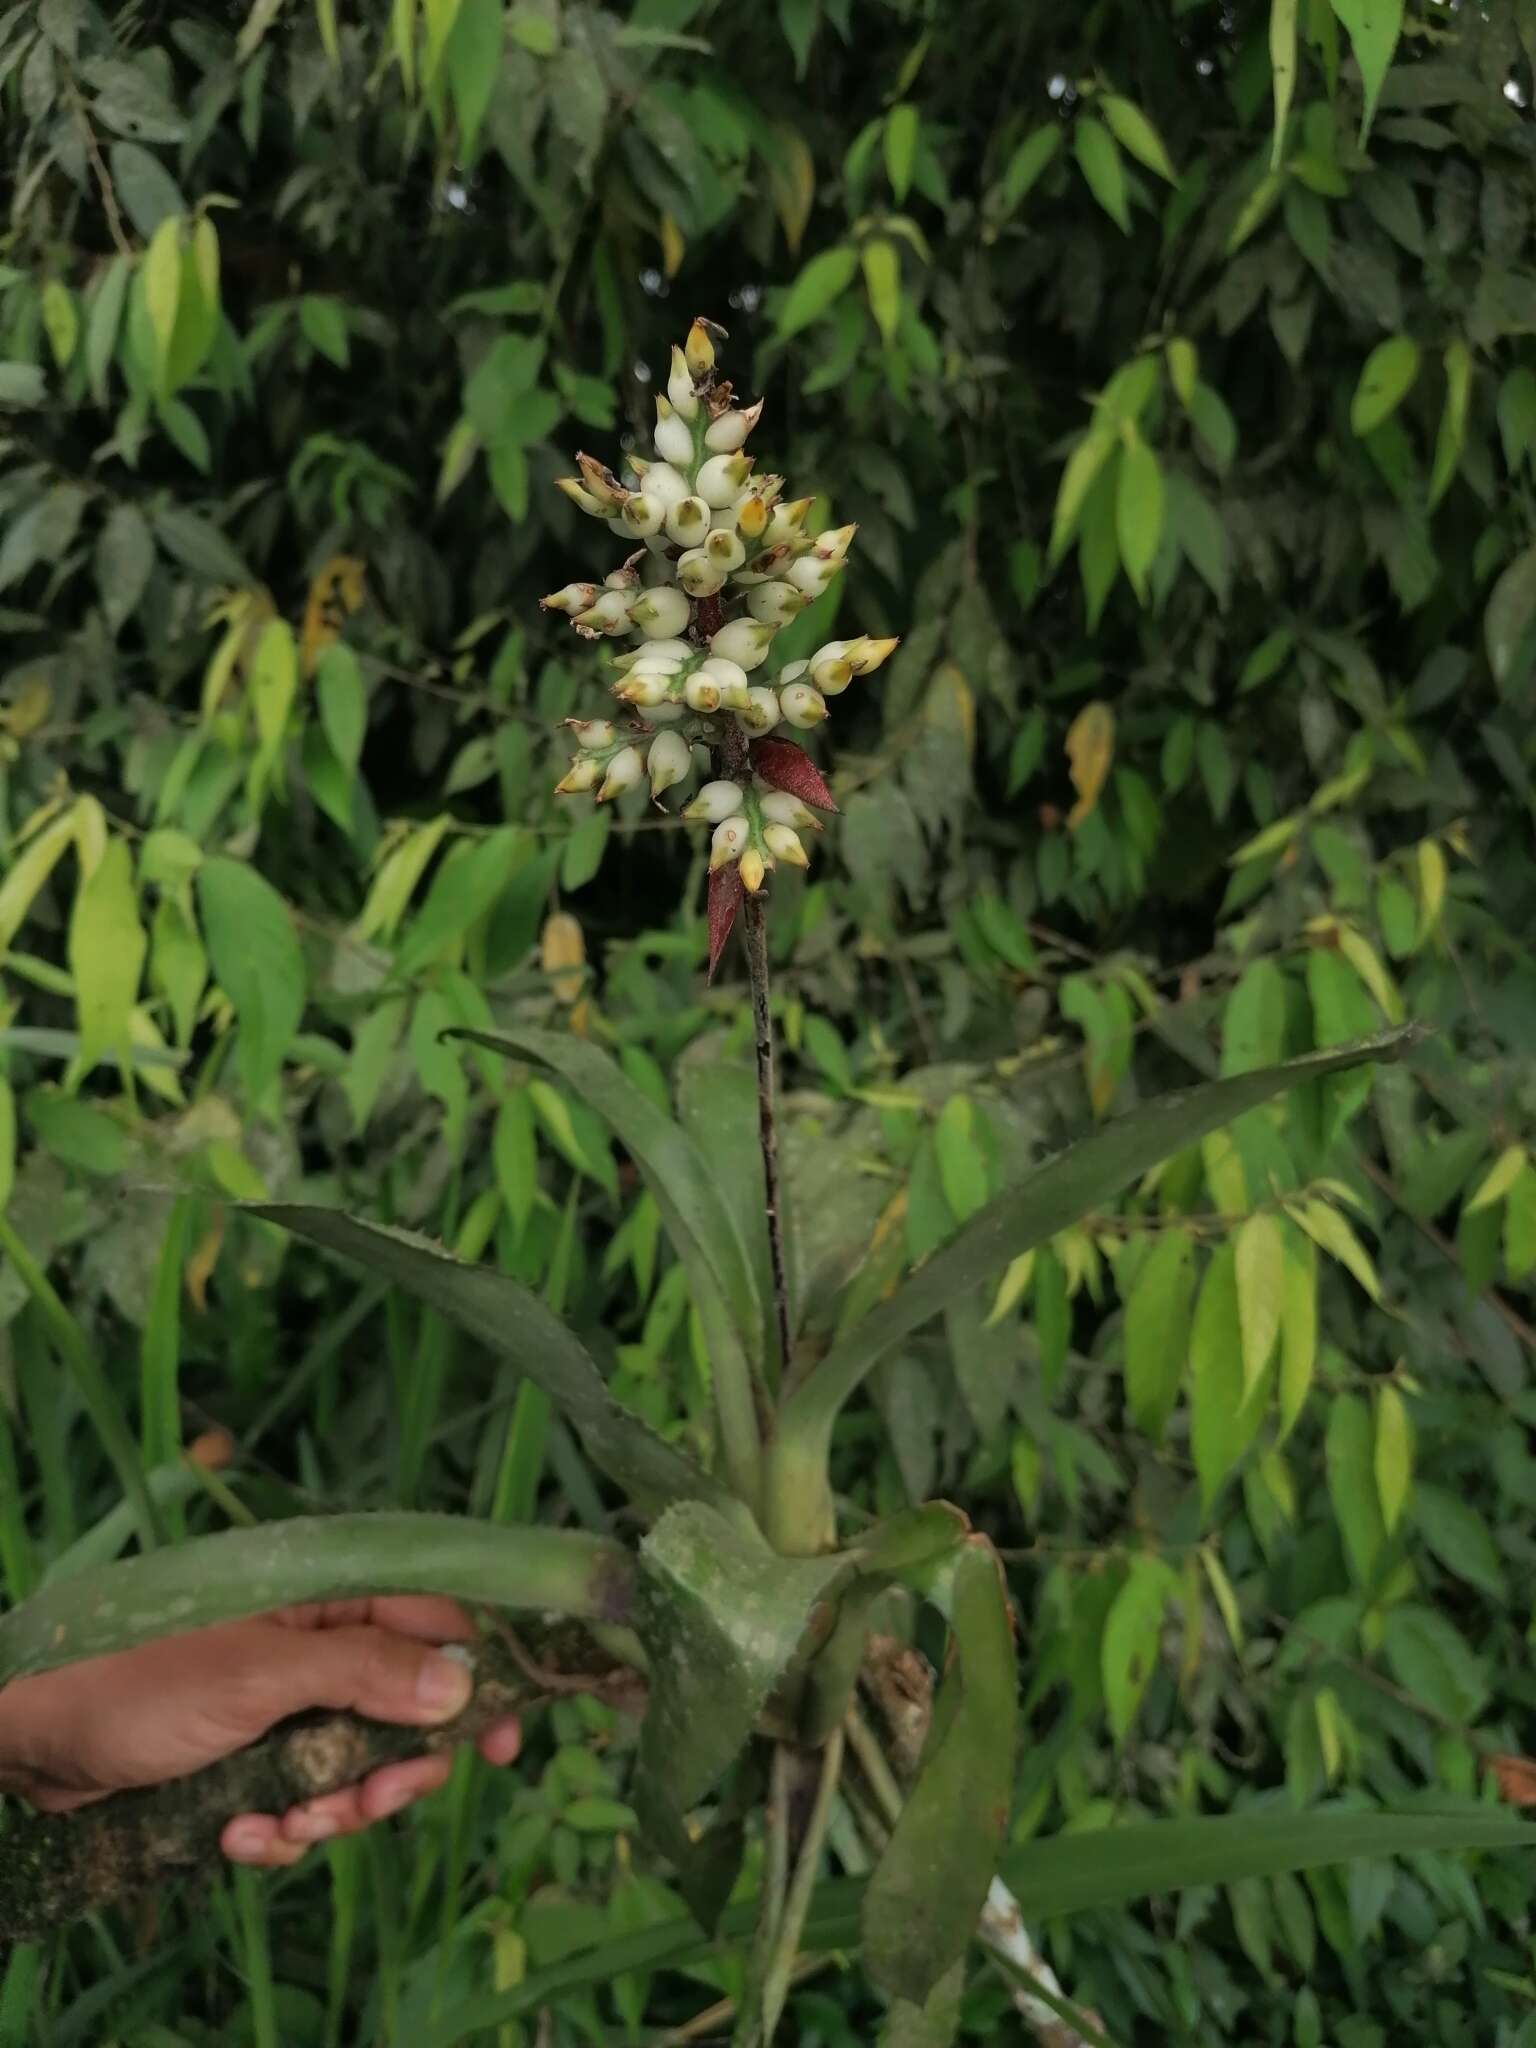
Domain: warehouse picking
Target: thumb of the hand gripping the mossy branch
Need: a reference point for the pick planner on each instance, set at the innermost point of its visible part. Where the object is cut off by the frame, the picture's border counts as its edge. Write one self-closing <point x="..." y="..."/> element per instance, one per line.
<point x="368" y="1670"/>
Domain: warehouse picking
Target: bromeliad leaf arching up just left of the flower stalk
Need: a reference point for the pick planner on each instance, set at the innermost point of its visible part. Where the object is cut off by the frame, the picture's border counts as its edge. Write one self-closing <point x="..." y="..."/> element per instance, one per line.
<point x="697" y="1215"/>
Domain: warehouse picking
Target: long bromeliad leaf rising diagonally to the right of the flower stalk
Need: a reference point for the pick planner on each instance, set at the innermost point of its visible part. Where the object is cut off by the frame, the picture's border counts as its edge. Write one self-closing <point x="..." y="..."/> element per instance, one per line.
<point x="1050" y="1201"/>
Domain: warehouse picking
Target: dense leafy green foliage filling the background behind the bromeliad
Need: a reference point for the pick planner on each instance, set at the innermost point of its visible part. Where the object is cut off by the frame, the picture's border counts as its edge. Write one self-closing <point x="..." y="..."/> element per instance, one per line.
<point x="1195" y="464"/>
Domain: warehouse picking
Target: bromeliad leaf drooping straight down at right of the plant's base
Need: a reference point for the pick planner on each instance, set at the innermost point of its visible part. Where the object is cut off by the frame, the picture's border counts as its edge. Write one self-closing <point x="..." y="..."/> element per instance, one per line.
<point x="927" y="1895"/>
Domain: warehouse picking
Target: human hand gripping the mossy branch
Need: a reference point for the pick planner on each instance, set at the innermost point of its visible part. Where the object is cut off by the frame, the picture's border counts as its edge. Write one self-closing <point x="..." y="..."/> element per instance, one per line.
<point x="183" y="1703"/>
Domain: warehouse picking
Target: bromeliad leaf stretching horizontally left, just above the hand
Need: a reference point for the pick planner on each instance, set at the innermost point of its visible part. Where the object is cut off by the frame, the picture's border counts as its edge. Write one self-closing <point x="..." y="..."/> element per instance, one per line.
<point x="312" y="1558"/>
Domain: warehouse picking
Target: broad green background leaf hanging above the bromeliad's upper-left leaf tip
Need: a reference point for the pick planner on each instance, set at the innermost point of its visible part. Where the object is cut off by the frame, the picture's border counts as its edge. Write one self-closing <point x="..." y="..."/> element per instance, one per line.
<point x="257" y="964"/>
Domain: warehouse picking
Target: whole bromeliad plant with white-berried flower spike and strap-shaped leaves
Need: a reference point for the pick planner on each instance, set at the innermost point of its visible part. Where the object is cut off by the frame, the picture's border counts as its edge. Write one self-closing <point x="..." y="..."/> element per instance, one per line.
<point x="755" y="1623"/>
